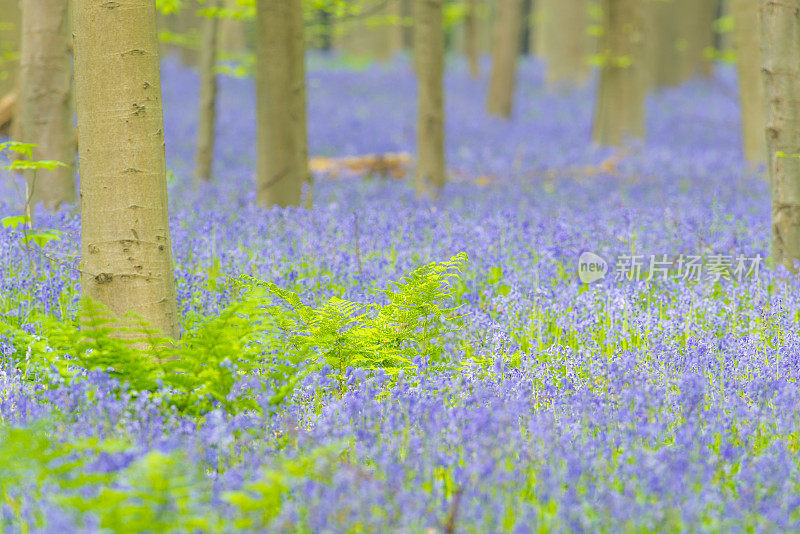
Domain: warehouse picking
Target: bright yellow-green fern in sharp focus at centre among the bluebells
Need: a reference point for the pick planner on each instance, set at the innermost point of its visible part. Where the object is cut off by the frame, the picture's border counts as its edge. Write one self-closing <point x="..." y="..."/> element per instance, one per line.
<point x="414" y="322"/>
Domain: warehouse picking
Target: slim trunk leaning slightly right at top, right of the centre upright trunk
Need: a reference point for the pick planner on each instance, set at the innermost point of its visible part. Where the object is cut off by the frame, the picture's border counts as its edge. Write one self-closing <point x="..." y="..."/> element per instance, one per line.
<point x="504" y="61"/>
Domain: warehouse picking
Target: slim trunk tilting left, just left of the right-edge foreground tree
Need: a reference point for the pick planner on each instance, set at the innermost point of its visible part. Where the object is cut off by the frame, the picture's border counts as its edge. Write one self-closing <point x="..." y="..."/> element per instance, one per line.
<point x="751" y="89"/>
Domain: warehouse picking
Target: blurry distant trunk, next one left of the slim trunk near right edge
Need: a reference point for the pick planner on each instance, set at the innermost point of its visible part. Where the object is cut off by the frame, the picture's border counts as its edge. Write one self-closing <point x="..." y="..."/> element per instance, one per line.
<point x="696" y="18"/>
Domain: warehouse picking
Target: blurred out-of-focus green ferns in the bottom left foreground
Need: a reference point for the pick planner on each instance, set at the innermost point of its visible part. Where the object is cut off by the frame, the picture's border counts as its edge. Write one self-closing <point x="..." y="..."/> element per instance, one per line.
<point x="158" y="492"/>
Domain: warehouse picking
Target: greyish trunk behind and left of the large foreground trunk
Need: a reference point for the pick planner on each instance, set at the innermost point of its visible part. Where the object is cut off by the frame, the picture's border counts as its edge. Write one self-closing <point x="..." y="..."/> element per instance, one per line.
<point x="44" y="106"/>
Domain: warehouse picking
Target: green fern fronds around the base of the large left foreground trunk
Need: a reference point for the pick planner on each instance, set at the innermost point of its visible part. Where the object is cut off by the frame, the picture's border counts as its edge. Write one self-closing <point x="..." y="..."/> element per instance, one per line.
<point x="193" y="374"/>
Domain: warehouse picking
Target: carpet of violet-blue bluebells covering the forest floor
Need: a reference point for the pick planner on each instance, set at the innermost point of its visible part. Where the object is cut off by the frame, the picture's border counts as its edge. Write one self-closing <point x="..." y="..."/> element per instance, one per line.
<point x="632" y="404"/>
